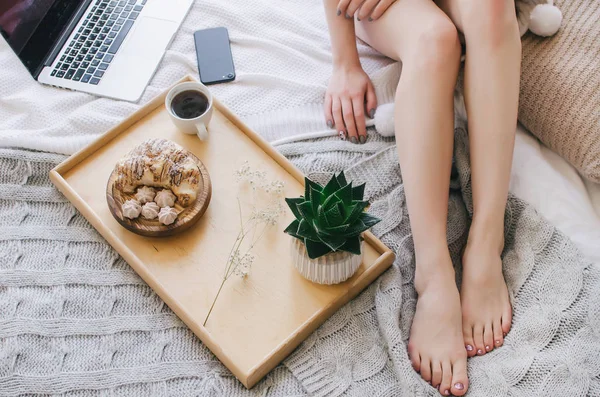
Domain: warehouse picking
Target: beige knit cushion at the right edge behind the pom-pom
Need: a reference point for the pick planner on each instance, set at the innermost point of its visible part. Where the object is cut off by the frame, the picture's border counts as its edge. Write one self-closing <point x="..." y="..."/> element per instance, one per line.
<point x="560" y="86"/>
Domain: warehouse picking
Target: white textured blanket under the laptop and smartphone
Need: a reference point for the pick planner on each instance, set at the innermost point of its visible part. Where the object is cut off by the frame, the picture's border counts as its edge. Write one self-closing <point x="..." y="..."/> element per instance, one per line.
<point x="282" y="57"/>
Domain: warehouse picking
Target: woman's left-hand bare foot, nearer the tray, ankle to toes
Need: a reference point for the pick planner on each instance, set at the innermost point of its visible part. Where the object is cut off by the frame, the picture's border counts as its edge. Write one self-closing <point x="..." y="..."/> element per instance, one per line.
<point x="436" y="341"/>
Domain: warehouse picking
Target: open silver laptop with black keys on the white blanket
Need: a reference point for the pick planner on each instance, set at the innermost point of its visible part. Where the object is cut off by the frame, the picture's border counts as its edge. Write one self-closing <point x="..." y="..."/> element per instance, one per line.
<point x="109" y="48"/>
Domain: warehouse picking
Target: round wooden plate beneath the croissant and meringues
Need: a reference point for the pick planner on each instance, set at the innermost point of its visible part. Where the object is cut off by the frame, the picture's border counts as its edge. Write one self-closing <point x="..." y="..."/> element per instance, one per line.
<point x="186" y="218"/>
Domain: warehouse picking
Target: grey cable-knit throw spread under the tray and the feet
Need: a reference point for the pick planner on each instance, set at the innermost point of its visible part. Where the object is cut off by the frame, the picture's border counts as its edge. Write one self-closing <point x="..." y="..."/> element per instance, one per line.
<point x="76" y="320"/>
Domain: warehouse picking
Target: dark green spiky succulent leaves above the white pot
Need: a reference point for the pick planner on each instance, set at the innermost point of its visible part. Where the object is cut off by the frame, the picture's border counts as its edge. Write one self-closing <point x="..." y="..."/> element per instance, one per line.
<point x="330" y="218"/>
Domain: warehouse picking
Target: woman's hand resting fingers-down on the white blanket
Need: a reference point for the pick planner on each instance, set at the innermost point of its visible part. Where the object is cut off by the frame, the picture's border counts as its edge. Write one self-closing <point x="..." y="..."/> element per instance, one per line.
<point x="349" y="89"/>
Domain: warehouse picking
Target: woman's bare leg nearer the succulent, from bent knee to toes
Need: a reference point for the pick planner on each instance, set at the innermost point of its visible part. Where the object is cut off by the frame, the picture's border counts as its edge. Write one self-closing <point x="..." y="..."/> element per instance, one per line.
<point x="424" y="38"/>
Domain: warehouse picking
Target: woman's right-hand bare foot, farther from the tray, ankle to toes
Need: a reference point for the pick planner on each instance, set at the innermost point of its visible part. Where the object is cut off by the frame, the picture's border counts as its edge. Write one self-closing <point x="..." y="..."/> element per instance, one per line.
<point x="486" y="309"/>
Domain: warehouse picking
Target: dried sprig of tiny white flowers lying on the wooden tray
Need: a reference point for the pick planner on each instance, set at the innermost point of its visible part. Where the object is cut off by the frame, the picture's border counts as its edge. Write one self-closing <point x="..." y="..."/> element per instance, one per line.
<point x="266" y="208"/>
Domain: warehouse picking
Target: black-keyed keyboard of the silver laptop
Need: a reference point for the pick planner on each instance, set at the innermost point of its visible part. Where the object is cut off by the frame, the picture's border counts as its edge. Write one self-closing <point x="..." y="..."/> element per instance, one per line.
<point x="100" y="36"/>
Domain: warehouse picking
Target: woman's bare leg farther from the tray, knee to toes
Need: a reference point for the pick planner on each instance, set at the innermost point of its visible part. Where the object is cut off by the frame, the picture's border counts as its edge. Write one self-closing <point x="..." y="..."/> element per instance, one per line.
<point x="492" y="73"/>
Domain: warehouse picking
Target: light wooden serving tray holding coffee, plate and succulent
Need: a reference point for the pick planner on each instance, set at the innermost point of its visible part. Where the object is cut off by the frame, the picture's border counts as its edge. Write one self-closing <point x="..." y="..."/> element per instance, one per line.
<point x="257" y="321"/>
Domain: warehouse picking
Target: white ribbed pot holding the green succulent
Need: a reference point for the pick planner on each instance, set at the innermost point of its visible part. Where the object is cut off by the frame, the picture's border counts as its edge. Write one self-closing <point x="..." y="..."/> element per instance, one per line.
<point x="332" y="268"/>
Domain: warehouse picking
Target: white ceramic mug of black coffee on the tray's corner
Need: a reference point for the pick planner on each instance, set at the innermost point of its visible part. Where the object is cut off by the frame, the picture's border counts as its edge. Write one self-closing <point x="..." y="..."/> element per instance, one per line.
<point x="197" y="125"/>
